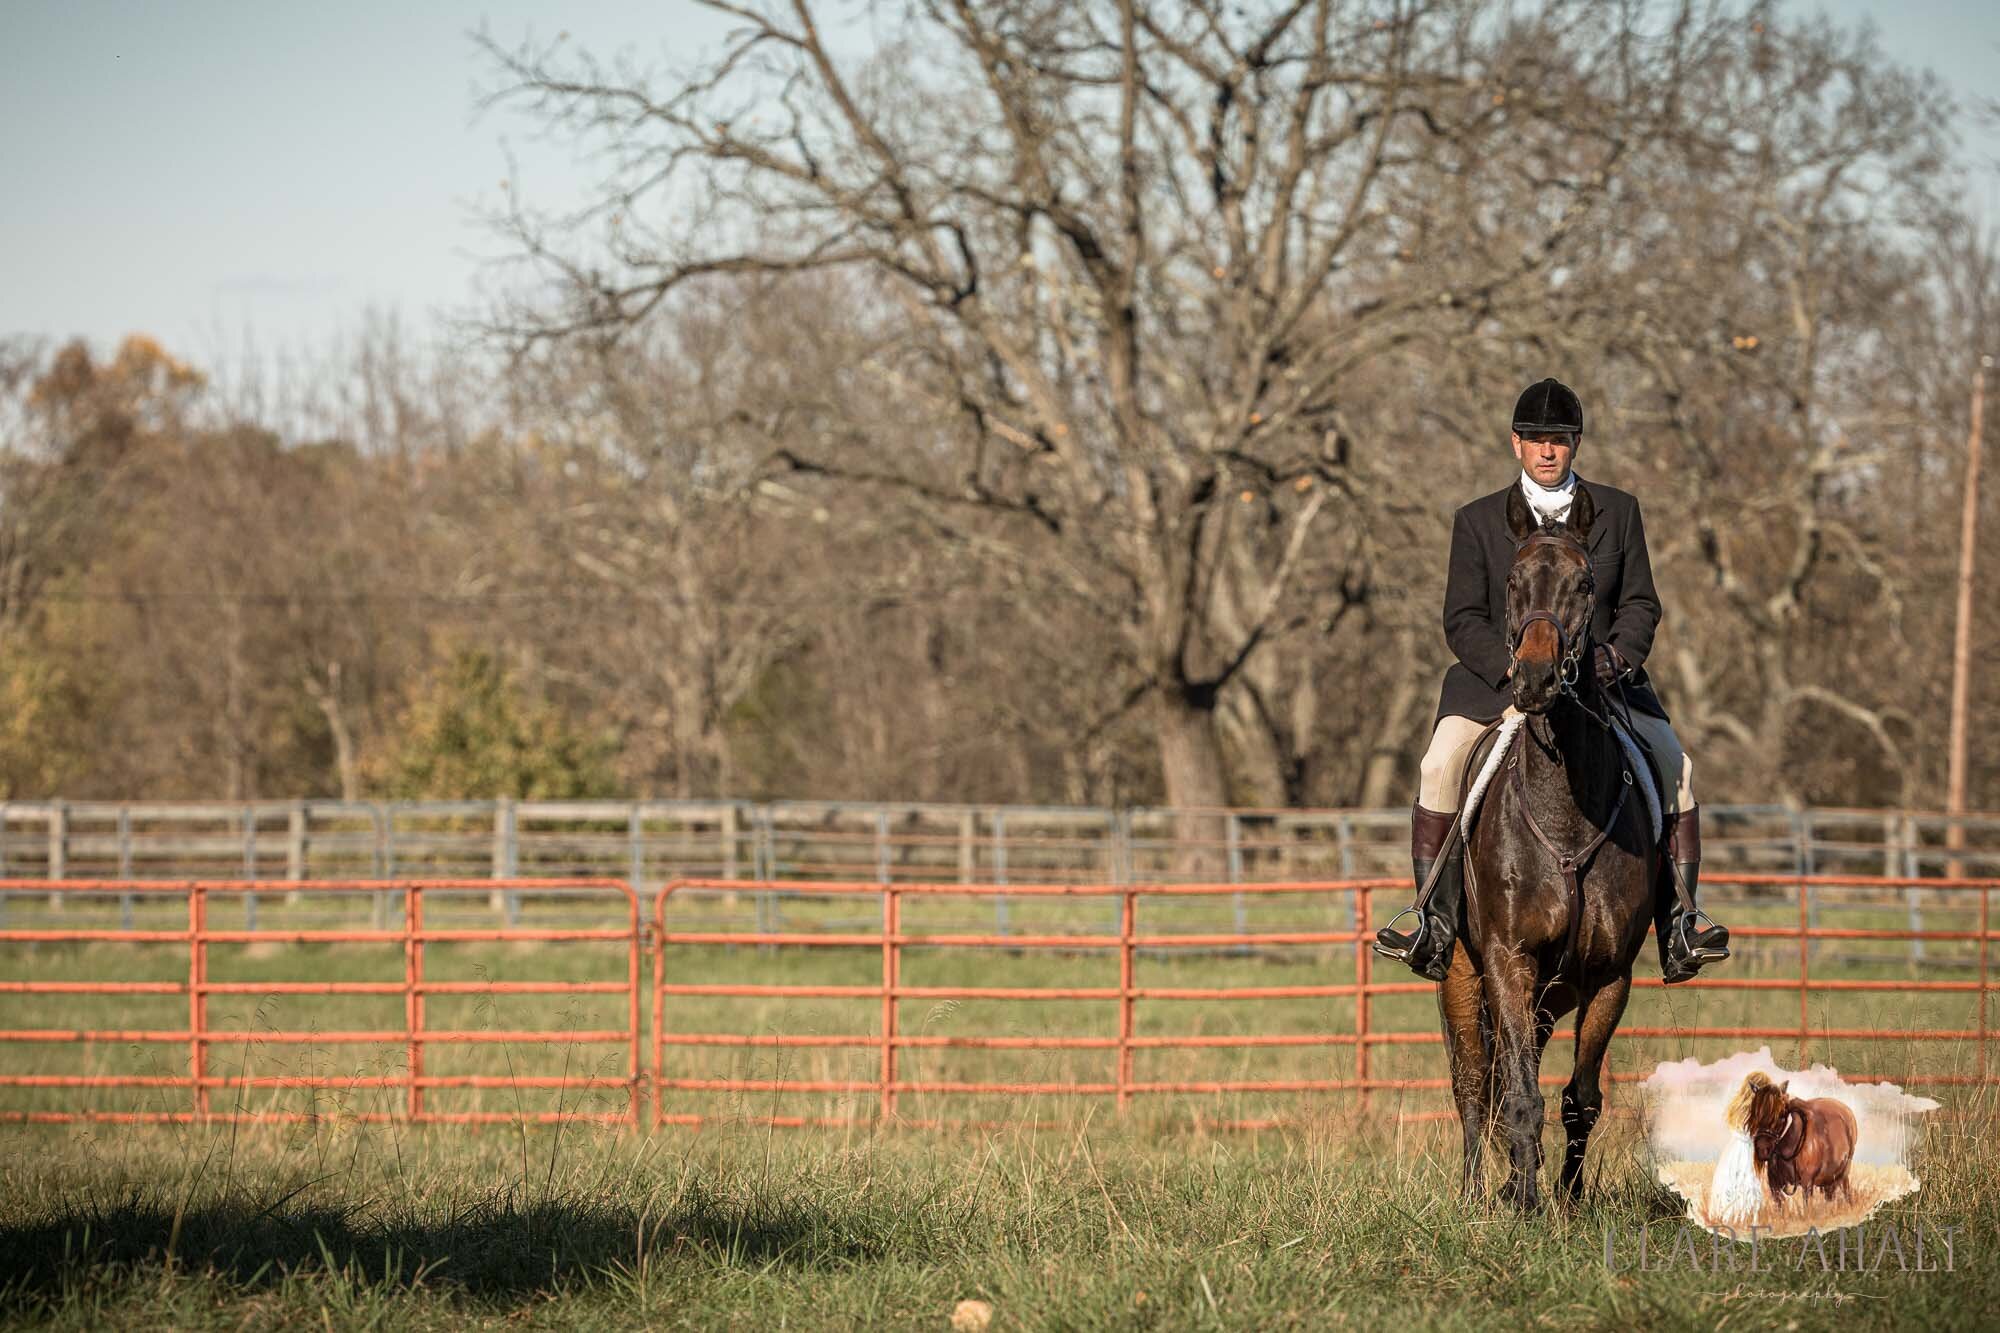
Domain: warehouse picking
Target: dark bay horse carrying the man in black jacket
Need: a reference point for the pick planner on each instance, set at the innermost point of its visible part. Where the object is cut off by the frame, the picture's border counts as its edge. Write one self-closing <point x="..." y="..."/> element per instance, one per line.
<point x="1561" y="874"/>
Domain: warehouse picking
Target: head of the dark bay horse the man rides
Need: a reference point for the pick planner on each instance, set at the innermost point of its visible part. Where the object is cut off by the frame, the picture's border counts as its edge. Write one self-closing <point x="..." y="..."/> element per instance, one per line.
<point x="1549" y="595"/>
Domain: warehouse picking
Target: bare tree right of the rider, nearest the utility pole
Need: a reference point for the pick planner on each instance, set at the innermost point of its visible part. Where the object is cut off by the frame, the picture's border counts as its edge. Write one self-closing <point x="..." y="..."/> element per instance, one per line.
<point x="1763" y="399"/>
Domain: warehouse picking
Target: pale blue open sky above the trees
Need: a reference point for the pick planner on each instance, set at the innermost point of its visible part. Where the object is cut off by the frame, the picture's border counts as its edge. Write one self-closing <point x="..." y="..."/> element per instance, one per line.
<point x="263" y="175"/>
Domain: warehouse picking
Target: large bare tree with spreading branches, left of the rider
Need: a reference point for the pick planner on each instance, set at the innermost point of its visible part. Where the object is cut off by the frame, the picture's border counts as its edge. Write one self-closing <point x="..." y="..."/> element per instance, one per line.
<point x="1135" y="253"/>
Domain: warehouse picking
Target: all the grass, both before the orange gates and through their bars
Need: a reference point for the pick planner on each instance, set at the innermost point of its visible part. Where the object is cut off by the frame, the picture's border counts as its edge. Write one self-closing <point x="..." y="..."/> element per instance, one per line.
<point x="1061" y="1214"/>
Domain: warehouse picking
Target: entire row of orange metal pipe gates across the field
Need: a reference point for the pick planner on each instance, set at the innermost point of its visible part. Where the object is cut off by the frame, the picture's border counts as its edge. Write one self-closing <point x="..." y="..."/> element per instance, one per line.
<point x="887" y="938"/>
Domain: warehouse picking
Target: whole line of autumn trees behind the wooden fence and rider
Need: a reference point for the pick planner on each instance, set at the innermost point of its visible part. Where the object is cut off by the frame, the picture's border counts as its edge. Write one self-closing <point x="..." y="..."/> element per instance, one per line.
<point x="1053" y="403"/>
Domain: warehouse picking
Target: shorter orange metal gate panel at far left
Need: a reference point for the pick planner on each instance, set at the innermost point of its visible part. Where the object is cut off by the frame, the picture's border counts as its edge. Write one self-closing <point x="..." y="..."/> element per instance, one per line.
<point x="413" y="942"/>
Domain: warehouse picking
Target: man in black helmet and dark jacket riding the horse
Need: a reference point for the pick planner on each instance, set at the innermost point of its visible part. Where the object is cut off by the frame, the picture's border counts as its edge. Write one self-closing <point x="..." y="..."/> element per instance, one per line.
<point x="1549" y="427"/>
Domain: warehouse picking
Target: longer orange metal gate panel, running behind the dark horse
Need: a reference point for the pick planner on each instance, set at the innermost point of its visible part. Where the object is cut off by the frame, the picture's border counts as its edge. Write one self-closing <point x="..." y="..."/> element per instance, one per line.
<point x="1365" y="1036"/>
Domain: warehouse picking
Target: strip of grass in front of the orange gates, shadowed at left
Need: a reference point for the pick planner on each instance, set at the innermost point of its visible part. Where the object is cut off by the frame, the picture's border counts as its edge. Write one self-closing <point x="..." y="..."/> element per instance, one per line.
<point x="1085" y="1226"/>
